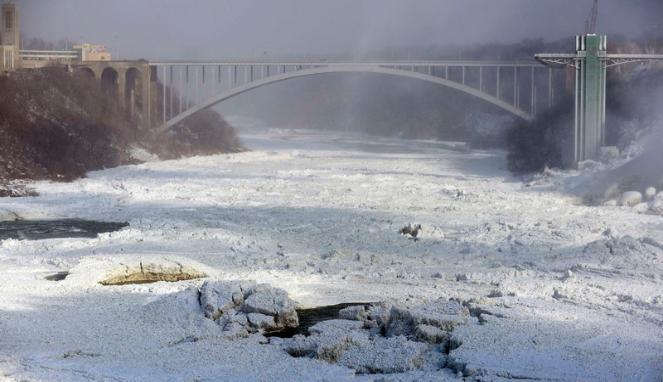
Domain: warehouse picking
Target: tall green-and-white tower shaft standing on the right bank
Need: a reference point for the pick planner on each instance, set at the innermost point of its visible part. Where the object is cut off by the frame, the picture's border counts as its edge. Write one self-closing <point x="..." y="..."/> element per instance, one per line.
<point x="589" y="124"/>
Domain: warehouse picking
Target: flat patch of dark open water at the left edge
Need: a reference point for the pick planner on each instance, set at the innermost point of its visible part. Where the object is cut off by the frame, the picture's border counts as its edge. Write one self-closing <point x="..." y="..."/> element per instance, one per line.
<point x="54" y="229"/>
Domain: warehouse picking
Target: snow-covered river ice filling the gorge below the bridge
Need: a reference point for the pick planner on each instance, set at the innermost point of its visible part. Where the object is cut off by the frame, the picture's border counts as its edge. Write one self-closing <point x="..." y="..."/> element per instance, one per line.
<point x="556" y="290"/>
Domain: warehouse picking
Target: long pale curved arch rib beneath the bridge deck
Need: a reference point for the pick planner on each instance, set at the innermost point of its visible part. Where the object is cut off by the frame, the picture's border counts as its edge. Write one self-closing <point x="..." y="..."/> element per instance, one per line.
<point x="343" y="69"/>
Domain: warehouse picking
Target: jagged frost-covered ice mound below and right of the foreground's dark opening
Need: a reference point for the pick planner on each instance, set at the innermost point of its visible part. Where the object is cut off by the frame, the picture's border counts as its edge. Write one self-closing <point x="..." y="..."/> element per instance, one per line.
<point x="382" y="339"/>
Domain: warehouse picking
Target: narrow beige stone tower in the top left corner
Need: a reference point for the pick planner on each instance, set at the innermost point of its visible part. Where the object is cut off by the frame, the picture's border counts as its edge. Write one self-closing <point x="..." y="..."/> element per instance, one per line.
<point x="9" y="38"/>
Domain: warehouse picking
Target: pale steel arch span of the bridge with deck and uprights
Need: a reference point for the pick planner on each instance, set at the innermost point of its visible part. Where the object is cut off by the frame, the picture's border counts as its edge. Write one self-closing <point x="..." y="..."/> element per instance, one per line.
<point x="518" y="87"/>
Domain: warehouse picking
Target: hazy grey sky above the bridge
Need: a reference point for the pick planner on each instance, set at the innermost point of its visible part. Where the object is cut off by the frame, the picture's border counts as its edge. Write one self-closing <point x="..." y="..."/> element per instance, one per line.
<point x="251" y="28"/>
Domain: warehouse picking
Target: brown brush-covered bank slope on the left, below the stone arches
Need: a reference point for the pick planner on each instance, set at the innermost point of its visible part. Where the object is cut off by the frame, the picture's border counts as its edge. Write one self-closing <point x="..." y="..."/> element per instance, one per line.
<point x="56" y="125"/>
